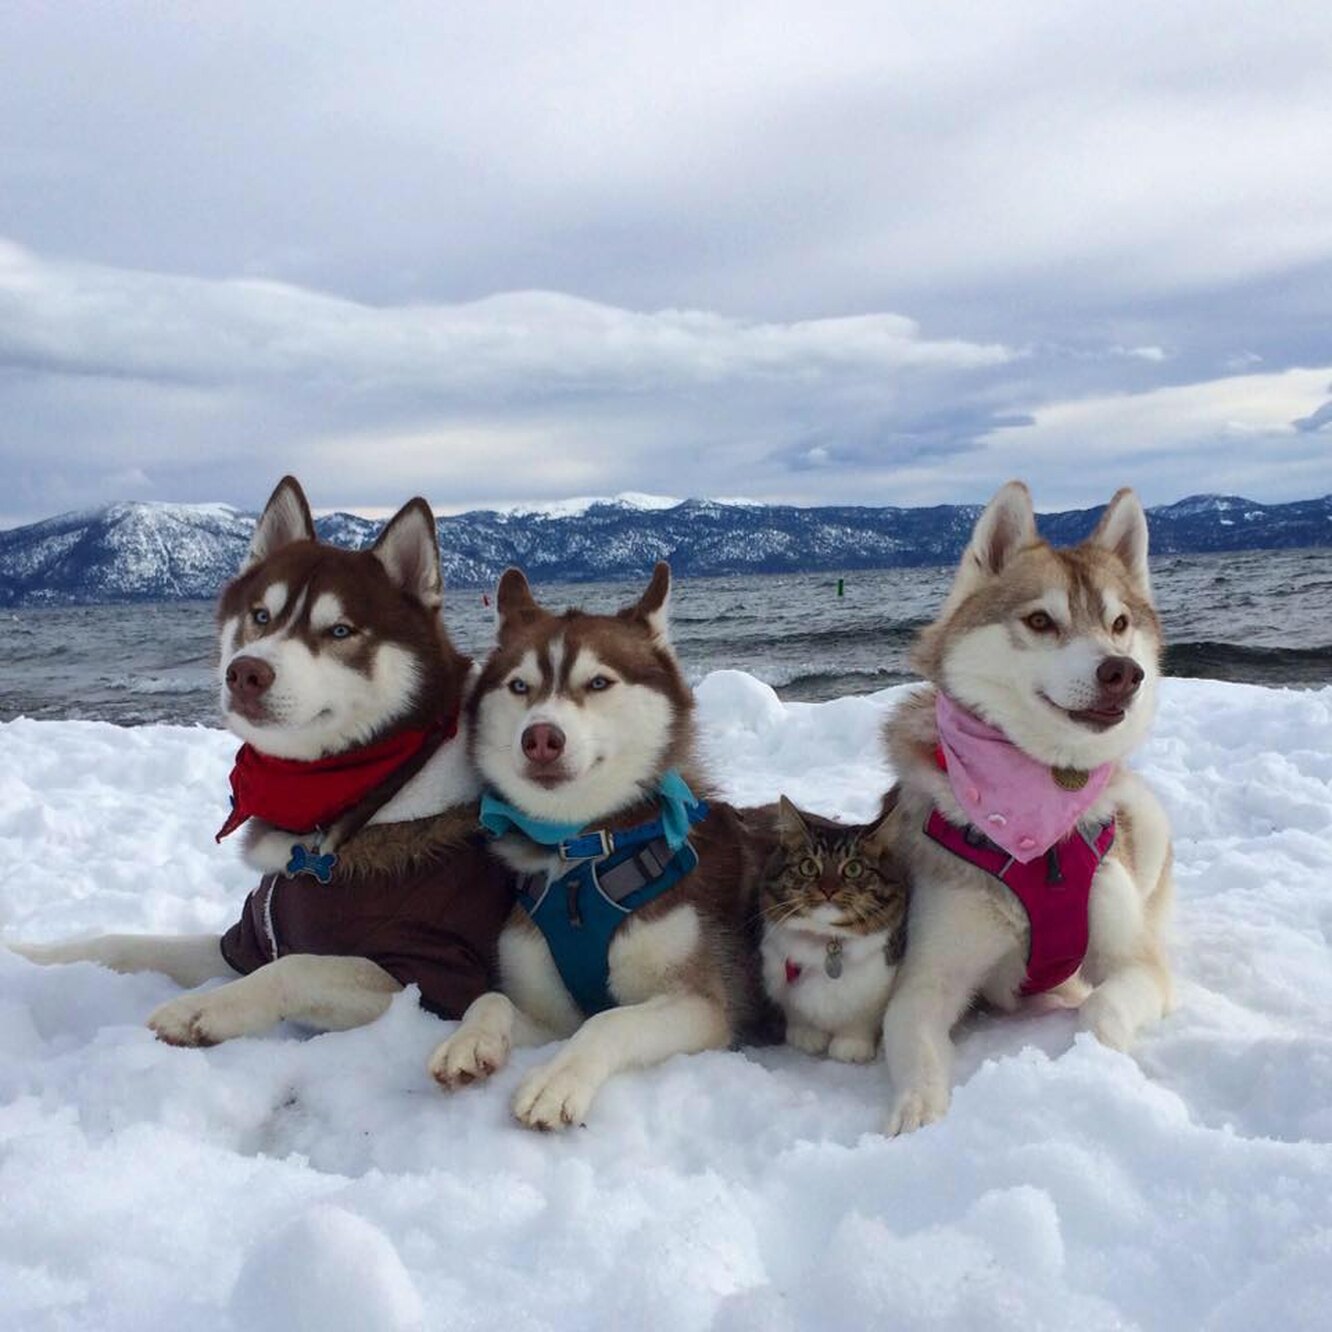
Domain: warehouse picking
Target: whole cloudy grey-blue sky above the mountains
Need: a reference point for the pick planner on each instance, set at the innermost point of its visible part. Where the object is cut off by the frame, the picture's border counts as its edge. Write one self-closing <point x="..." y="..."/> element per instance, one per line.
<point x="501" y="254"/>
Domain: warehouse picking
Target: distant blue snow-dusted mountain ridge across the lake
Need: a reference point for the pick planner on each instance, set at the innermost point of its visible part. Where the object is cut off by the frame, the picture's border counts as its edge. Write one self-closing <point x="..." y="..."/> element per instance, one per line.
<point x="163" y="552"/>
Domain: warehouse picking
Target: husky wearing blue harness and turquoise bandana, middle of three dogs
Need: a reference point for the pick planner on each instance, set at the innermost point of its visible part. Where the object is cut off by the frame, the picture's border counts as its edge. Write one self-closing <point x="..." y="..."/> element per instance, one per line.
<point x="636" y="894"/>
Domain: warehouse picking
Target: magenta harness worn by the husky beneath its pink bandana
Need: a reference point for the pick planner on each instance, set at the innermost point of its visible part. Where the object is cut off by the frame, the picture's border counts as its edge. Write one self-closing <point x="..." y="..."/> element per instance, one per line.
<point x="1054" y="890"/>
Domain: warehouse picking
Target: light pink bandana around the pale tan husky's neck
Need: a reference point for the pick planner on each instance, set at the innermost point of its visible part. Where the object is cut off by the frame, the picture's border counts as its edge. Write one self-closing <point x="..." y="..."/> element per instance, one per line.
<point x="1010" y="797"/>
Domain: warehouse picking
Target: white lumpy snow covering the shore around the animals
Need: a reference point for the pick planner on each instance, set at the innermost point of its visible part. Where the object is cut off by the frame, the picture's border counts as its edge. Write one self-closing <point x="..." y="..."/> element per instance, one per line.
<point x="319" y="1182"/>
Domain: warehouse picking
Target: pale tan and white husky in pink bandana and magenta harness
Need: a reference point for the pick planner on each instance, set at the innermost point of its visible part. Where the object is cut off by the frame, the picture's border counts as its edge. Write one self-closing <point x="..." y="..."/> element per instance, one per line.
<point x="1038" y="860"/>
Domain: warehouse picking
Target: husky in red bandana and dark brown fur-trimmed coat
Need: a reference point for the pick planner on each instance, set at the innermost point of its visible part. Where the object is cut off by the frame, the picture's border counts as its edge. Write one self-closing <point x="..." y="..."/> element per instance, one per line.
<point x="338" y="675"/>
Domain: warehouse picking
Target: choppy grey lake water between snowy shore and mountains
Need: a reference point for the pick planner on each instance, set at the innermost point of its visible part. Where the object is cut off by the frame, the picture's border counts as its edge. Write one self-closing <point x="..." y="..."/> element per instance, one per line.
<point x="1265" y="617"/>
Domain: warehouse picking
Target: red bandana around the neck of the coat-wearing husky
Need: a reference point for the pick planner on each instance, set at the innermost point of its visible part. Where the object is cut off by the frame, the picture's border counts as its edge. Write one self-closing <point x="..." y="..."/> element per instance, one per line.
<point x="306" y="795"/>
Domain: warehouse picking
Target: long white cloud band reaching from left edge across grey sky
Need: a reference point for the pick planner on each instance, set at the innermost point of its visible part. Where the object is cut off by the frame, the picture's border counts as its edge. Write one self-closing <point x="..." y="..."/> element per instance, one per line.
<point x="85" y="320"/>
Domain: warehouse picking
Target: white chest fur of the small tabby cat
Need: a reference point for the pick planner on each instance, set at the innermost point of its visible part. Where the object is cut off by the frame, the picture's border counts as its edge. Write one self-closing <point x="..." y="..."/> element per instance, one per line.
<point x="832" y="989"/>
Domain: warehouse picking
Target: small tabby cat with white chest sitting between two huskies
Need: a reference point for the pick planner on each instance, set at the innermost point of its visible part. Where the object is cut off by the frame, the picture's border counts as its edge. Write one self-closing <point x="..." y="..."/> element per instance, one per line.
<point x="834" y="914"/>
